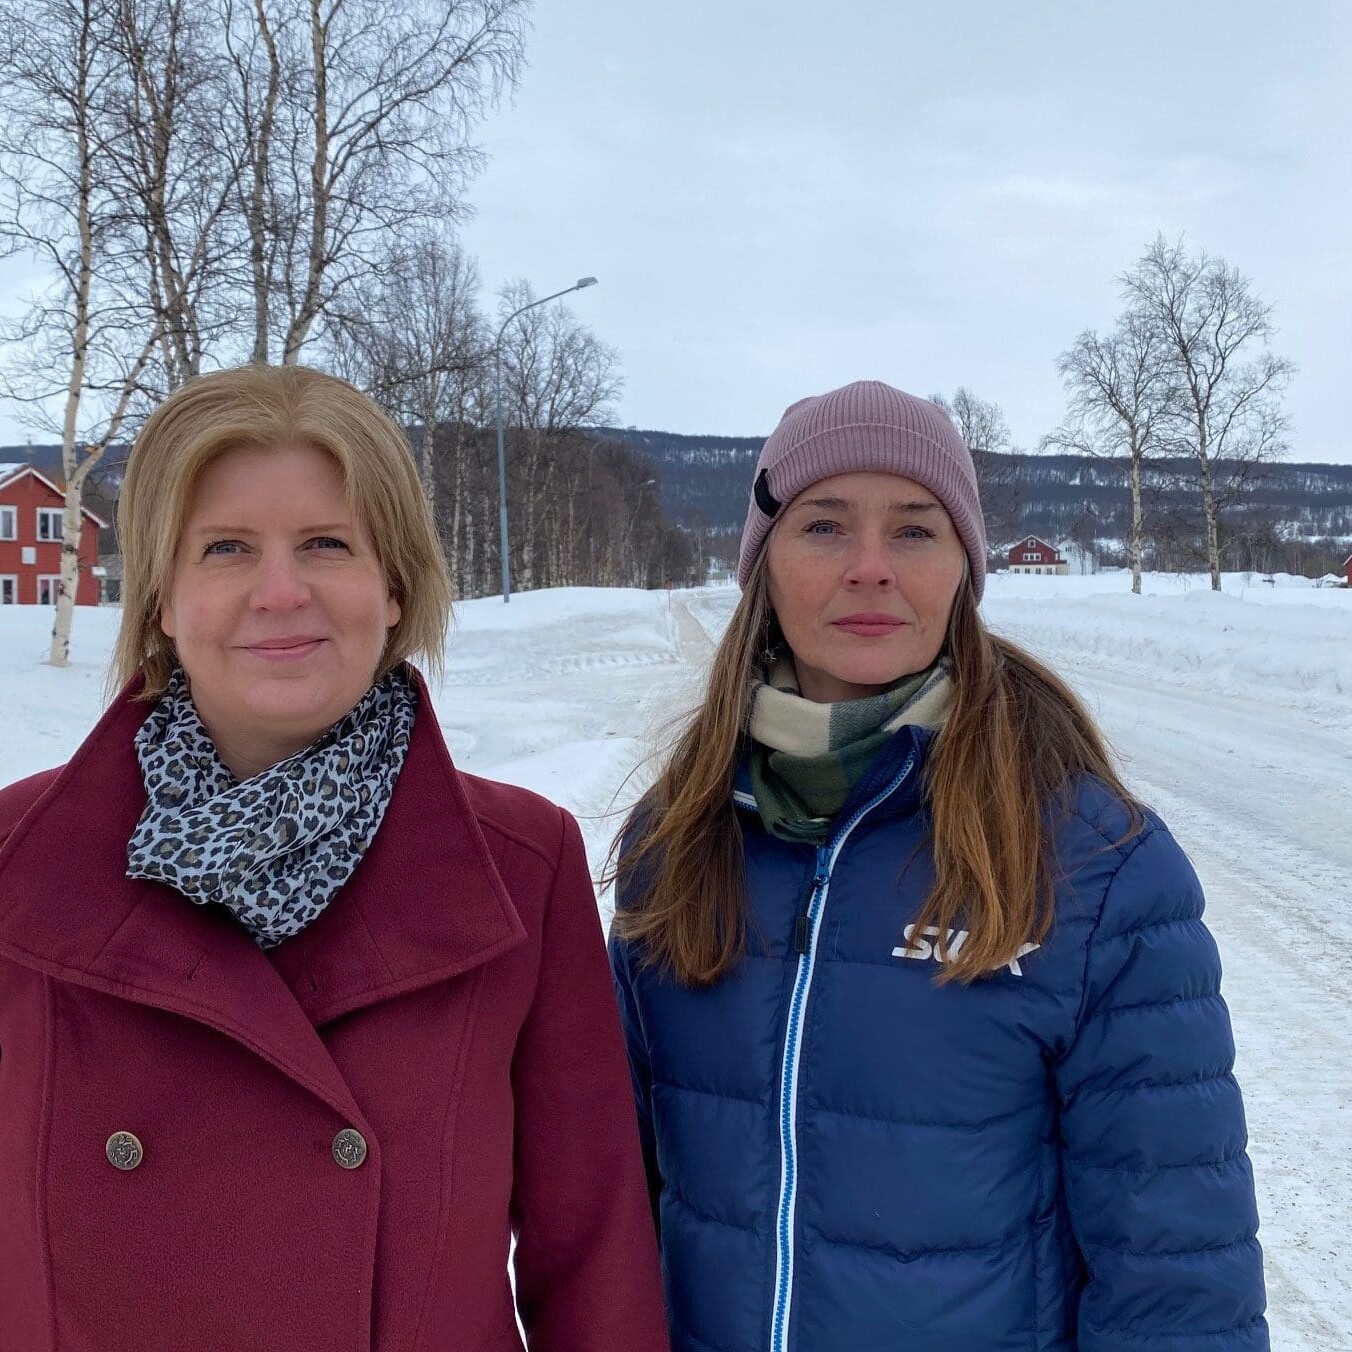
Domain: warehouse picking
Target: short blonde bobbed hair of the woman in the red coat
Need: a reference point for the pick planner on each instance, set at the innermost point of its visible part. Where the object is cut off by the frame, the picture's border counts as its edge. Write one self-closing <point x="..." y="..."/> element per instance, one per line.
<point x="267" y="409"/>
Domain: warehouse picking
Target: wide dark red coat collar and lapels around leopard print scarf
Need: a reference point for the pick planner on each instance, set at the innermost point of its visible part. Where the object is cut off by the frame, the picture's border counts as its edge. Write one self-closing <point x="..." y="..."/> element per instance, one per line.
<point x="427" y="904"/>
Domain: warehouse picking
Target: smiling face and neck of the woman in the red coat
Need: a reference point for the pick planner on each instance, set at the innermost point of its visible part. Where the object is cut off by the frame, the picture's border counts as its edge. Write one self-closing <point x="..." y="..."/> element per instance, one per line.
<point x="278" y="604"/>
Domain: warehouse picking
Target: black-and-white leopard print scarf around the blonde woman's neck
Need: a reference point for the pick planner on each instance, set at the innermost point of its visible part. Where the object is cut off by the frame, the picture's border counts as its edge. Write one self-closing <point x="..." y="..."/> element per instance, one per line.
<point x="275" y="848"/>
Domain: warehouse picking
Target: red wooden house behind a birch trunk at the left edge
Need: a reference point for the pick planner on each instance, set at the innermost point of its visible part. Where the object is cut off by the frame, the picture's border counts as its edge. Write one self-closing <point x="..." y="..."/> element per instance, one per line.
<point x="32" y="508"/>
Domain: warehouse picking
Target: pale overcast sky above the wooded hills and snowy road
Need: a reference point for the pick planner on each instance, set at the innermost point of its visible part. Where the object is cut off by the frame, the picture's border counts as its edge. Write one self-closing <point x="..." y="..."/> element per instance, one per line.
<point x="781" y="198"/>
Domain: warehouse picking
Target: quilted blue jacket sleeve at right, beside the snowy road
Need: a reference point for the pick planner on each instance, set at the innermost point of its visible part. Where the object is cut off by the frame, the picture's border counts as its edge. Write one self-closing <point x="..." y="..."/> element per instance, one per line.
<point x="1158" y="1182"/>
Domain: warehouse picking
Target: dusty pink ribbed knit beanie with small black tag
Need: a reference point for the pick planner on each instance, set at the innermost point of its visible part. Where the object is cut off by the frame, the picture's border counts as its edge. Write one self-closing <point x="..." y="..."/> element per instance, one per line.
<point x="866" y="427"/>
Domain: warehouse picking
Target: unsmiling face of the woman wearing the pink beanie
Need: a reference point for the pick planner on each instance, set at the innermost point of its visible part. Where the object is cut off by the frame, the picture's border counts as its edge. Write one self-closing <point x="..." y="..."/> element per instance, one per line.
<point x="863" y="574"/>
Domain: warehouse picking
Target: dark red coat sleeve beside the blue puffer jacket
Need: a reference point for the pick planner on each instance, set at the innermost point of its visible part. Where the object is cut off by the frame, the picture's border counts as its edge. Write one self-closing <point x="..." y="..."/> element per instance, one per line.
<point x="586" y="1262"/>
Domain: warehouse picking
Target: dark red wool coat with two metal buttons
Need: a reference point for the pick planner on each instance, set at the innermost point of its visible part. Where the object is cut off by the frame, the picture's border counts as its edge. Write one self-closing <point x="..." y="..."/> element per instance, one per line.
<point x="452" y="1007"/>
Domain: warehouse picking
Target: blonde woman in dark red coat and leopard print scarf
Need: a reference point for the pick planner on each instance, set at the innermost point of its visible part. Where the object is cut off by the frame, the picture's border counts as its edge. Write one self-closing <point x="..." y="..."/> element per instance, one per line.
<point x="299" y="1025"/>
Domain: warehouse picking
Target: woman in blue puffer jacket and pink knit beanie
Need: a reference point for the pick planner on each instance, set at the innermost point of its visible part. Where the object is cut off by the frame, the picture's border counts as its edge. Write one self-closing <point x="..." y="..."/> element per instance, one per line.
<point x="925" y="1025"/>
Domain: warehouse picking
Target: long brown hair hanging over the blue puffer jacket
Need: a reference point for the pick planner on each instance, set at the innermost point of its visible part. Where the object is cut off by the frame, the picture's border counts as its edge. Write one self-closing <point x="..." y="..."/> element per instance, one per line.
<point x="1003" y="766"/>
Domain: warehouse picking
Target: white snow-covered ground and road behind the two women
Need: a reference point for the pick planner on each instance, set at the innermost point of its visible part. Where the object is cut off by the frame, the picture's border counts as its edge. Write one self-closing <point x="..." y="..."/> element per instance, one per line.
<point x="1232" y="715"/>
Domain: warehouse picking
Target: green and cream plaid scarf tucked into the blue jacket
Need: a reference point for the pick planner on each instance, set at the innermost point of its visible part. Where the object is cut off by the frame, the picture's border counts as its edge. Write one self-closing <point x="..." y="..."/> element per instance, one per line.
<point x="808" y="759"/>
